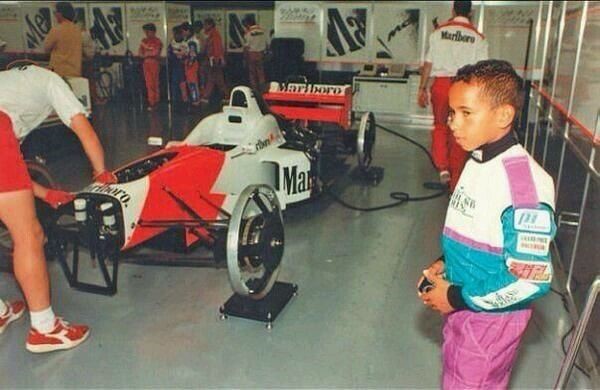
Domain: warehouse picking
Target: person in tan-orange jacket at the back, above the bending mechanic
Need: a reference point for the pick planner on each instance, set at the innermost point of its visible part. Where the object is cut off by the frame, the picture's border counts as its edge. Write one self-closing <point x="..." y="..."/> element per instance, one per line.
<point x="64" y="42"/>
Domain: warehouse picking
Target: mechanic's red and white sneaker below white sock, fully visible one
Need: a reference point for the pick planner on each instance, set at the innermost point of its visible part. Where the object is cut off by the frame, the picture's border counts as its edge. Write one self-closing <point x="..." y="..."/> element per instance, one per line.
<point x="63" y="336"/>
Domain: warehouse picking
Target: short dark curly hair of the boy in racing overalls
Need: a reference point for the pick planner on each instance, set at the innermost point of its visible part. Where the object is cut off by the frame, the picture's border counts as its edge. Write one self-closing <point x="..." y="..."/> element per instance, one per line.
<point x="499" y="82"/>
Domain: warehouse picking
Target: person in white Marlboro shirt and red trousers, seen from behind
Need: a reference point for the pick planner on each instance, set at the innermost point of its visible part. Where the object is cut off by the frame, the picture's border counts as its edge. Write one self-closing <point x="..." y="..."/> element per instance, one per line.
<point x="451" y="46"/>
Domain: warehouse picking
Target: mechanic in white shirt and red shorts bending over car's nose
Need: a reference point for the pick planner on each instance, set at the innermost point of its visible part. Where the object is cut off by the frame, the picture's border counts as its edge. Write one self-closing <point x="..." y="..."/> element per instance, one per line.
<point x="28" y="95"/>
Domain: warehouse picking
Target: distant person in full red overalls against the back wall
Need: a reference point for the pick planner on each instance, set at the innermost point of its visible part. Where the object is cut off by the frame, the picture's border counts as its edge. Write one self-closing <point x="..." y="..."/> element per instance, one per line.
<point x="150" y="49"/>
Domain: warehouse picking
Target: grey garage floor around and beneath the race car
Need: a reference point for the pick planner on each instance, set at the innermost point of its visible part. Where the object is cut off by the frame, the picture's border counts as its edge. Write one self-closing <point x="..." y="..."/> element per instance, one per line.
<point x="356" y="323"/>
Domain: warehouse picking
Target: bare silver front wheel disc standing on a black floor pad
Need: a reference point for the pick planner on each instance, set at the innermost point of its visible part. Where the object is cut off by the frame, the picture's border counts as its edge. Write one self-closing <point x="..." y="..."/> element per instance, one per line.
<point x="255" y="241"/>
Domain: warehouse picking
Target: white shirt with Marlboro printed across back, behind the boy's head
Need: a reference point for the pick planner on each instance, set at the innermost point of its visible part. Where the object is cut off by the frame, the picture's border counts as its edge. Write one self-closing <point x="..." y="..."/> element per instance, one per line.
<point x="453" y="45"/>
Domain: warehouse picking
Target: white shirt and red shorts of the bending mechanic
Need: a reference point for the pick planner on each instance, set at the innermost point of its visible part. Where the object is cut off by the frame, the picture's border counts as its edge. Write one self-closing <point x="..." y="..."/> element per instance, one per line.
<point x="29" y="94"/>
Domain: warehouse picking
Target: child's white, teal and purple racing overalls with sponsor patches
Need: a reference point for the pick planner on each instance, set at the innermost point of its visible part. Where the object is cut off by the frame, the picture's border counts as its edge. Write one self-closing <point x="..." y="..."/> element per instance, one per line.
<point x="496" y="242"/>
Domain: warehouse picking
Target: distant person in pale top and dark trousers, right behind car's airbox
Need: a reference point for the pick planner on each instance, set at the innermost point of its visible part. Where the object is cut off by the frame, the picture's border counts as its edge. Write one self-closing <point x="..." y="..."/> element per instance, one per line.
<point x="254" y="53"/>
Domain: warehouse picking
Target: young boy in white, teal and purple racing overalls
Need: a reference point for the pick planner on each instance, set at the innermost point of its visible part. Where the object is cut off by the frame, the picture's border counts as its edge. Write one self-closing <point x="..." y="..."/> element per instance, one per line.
<point x="496" y="236"/>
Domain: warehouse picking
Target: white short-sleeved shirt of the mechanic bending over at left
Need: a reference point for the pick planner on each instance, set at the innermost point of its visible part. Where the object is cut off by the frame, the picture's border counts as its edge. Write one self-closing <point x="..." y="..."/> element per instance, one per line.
<point x="29" y="94"/>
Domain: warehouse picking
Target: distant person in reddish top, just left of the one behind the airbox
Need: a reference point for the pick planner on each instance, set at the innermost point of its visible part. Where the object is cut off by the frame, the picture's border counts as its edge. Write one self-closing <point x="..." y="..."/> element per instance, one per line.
<point x="216" y="61"/>
